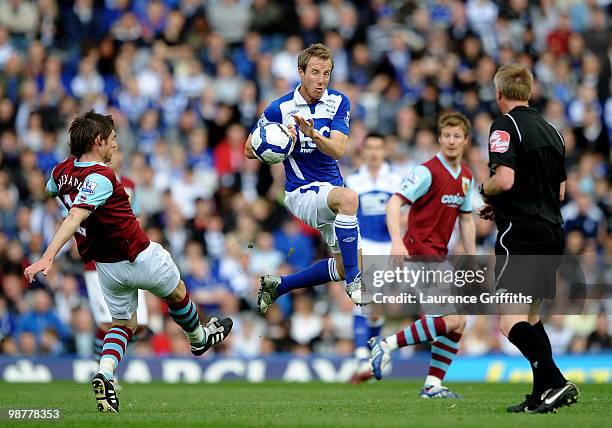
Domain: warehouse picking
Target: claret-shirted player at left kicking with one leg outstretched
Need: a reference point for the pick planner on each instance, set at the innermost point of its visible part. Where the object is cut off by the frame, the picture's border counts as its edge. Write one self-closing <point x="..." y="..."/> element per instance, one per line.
<point x="107" y="232"/>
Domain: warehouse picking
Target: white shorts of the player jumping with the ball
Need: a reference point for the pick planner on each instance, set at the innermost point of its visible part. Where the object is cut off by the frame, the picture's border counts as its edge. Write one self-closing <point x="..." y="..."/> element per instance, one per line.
<point x="309" y="204"/>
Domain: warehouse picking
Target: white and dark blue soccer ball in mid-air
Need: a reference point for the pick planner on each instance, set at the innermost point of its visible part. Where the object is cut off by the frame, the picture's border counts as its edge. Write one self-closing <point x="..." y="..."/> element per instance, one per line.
<point x="272" y="143"/>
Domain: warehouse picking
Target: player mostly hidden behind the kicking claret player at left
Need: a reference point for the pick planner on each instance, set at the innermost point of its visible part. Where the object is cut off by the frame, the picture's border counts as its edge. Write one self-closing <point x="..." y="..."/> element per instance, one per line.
<point x="101" y="314"/>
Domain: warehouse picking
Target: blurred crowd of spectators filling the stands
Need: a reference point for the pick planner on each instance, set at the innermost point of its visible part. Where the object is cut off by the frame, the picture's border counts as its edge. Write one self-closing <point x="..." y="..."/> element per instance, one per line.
<point x="186" y="80"/>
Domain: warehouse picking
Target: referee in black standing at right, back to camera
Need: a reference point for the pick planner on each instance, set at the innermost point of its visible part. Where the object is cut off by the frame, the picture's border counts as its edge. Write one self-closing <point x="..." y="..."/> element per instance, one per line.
<point x="523" y="196"/>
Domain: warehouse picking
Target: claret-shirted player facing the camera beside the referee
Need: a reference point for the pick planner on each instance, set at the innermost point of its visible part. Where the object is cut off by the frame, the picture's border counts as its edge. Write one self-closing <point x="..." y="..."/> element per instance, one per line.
<point x="438" y="191"/>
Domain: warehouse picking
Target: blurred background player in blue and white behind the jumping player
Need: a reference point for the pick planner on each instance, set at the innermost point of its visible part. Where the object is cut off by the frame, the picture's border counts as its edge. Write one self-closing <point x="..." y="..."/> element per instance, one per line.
<point x="374" y="183"/>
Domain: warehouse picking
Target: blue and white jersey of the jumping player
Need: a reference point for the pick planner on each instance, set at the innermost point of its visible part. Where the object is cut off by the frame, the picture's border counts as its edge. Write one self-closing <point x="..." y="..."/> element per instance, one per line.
<point x="307" y="164"/>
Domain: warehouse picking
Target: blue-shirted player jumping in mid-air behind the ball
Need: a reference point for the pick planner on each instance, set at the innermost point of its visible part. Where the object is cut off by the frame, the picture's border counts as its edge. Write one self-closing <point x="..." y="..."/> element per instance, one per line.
<point x="318" y="118"/>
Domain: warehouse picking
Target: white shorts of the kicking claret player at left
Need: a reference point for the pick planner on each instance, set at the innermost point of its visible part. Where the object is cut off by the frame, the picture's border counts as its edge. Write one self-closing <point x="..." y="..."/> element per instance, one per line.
<point x="153" y="270"/>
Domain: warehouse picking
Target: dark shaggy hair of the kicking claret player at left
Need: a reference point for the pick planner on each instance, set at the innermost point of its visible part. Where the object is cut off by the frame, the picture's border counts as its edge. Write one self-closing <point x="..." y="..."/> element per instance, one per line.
<point x="85" y="129"/>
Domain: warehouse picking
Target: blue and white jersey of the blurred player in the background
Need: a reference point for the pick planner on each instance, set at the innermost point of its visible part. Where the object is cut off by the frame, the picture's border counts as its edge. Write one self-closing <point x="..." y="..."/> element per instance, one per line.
<point x="373" y="196"/>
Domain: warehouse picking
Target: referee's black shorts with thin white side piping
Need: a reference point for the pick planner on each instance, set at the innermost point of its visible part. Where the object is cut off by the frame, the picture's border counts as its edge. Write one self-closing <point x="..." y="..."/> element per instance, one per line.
<point x="527" y="256"/>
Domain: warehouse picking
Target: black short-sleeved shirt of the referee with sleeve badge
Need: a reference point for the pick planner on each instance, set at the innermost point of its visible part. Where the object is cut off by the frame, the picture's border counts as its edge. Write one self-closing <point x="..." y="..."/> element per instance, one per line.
<point x="534" y="149"/>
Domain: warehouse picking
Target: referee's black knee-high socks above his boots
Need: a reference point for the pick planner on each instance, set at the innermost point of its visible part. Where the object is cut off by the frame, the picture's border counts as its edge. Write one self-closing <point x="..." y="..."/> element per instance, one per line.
<point x="533" y="346"/>
